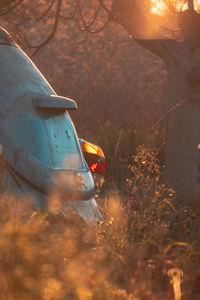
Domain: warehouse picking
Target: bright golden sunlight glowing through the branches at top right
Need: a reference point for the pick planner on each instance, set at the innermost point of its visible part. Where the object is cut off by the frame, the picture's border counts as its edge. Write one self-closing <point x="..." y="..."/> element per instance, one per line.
<point x="159" y="7"/>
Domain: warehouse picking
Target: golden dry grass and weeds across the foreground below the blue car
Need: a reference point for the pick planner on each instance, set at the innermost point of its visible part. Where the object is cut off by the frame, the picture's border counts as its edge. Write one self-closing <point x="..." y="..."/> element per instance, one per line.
<point x="146" y="247"/>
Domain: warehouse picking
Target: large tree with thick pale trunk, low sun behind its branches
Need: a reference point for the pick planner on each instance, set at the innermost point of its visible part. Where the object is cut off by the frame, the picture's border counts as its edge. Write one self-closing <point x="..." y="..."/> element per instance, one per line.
<point x="182" y="60"/>
